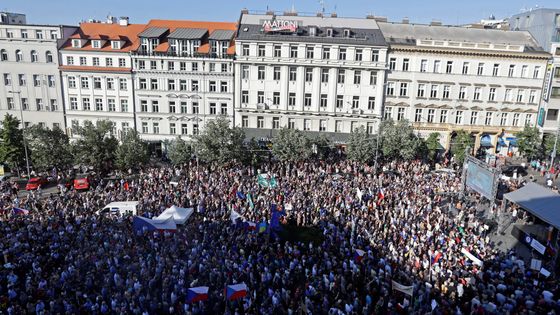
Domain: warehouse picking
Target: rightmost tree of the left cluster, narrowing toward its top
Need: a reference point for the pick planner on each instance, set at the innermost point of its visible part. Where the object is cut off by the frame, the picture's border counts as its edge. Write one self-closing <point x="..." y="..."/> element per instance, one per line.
<point x="132" y="152"/>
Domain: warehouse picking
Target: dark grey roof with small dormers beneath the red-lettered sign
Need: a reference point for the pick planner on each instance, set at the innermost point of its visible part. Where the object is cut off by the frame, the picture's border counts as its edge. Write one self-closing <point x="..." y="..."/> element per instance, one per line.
<point x="362" y="31"/>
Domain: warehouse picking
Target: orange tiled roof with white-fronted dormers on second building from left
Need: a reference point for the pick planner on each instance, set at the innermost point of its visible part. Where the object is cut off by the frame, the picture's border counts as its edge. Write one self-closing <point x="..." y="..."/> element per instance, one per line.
<point x="128" y="34"/>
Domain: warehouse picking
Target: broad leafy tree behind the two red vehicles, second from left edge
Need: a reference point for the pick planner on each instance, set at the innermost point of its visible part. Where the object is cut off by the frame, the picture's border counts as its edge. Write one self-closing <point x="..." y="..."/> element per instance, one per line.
<point x="49" y="148"/>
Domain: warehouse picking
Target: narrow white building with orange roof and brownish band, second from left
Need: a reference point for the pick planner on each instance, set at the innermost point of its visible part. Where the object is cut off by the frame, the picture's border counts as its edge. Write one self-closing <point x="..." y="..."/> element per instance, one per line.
<point x="96" y="69"/>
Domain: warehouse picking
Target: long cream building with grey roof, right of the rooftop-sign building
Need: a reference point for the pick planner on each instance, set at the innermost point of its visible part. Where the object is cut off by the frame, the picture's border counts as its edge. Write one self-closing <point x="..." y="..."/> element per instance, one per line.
<point x="445" y="78"/>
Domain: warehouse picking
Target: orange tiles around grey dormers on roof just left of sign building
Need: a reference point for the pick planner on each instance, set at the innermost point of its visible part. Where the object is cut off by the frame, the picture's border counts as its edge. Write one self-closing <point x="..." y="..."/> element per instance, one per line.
<point x="210" y="27"/>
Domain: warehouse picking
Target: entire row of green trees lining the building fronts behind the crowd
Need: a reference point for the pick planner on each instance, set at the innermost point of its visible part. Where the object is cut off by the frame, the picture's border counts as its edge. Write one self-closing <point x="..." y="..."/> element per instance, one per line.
<point x="218" y="143"/>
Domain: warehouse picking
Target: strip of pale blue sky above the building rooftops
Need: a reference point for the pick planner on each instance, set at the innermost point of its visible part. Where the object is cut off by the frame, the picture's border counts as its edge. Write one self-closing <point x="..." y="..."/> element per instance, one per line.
<point x="140" y="11"/>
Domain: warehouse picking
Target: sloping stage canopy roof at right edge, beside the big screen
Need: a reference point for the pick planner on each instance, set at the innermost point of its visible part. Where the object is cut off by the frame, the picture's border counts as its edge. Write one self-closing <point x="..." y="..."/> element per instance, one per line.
<point x="539" y="201"/>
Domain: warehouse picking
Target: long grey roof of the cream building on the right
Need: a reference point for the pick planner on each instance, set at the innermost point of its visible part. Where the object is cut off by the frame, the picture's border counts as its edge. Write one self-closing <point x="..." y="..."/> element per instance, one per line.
<point x="411" y="34"/>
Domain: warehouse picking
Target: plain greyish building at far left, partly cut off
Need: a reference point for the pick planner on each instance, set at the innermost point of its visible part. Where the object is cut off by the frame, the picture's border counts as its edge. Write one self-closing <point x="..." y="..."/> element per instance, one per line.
<point x="30" y="81"/>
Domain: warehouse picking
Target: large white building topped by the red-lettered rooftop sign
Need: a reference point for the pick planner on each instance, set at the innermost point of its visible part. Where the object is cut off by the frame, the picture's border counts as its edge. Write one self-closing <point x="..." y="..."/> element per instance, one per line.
<point x="313" y="73"/>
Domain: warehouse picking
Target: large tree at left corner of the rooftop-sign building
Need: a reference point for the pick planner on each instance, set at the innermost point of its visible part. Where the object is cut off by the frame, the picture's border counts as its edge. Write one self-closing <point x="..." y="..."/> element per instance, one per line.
<point x="219" y="142"/>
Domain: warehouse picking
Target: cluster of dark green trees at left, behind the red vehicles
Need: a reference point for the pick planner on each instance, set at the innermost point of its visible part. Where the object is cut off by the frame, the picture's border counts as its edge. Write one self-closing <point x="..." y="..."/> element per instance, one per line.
<point x="48" y="148"/>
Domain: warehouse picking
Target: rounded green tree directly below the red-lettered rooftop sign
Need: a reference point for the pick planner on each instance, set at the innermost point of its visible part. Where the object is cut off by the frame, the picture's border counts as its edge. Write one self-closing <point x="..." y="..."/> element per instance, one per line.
<point x="291" y="145"/>
